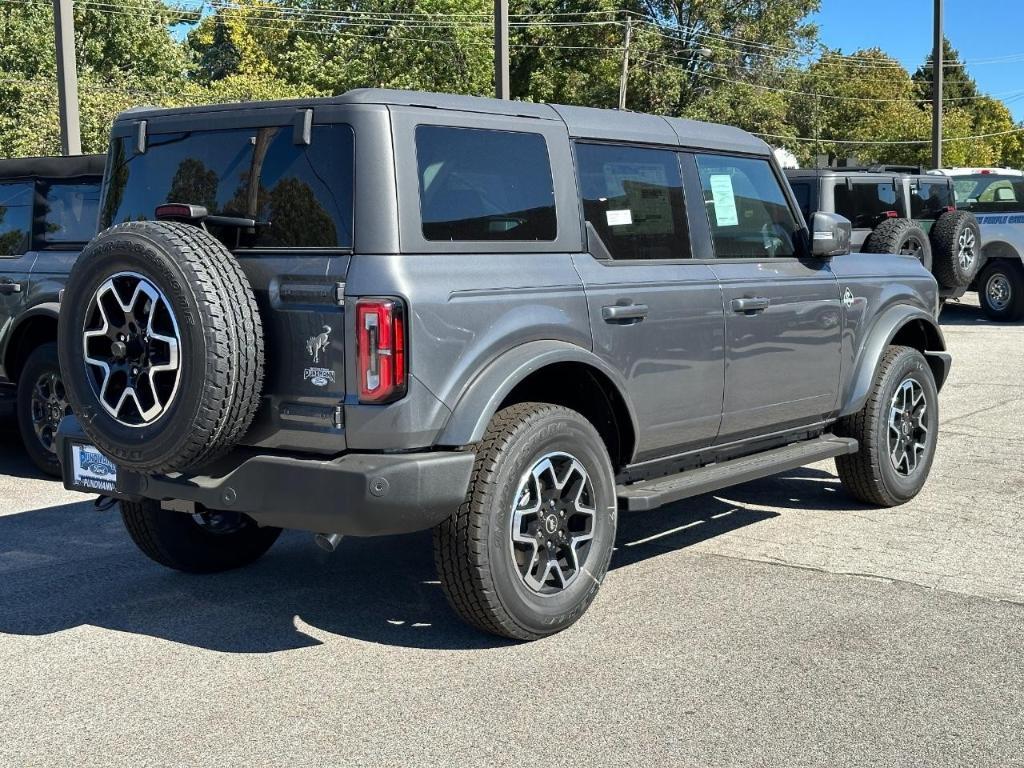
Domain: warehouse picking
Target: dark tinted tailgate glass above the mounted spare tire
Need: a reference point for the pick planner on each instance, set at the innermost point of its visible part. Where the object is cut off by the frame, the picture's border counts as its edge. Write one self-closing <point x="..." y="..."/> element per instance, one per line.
<point x="301" y="196"/>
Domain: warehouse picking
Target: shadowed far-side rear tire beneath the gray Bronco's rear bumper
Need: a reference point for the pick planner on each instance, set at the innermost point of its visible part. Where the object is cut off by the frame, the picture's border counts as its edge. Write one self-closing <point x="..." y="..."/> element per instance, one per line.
<point x="205" y="543"/>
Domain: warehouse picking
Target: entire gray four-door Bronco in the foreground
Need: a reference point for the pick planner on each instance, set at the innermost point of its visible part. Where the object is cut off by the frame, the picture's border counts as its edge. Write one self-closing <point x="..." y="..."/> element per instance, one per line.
<point x="392" y="312"/>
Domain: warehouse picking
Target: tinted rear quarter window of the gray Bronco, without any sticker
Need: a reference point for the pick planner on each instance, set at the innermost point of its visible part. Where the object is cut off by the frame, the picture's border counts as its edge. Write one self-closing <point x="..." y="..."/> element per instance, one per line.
<point x="479" y="185"/>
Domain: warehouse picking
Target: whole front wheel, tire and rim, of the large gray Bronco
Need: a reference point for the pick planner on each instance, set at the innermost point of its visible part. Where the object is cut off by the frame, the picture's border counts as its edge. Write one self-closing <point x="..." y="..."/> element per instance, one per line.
<point x="898" y="431"/>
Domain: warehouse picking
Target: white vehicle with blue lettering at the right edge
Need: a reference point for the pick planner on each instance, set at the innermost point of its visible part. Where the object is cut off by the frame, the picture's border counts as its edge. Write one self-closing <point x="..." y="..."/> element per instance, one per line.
<point x="996" y="196"/>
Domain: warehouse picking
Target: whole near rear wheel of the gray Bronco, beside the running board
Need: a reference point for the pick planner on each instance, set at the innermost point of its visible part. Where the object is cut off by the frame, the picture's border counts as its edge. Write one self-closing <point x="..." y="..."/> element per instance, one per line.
<point x="526" y="553"/>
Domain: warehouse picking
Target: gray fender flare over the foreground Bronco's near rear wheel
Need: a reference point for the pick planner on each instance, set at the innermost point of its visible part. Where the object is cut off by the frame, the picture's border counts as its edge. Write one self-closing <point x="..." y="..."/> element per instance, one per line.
<point x="482" y="399"/>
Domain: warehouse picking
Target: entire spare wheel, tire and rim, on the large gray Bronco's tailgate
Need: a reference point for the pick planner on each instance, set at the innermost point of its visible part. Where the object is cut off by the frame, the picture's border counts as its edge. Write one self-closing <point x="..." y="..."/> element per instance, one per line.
<point x="161" y="347"/>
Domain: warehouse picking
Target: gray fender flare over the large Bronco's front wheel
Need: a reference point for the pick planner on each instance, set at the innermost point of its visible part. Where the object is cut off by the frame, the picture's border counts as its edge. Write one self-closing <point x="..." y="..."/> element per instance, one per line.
<point x="888" y="324"/>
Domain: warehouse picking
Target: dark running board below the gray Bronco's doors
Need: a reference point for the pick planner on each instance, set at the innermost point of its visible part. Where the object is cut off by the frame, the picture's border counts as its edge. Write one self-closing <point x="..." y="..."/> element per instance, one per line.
<point x="661" y="491"/>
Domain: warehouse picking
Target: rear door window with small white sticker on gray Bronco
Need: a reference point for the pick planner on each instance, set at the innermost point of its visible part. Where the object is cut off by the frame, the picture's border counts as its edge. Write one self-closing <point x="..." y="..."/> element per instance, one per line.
<point x="634" y="200"/>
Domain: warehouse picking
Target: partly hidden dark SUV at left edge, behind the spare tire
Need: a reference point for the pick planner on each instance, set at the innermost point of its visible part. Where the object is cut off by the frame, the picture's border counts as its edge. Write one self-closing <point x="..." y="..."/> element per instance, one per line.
<point x="49" y="212"/>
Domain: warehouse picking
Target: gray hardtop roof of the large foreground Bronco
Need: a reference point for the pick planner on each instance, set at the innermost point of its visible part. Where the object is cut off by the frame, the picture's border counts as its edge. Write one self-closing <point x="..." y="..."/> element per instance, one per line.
<point x="582" y="122"/>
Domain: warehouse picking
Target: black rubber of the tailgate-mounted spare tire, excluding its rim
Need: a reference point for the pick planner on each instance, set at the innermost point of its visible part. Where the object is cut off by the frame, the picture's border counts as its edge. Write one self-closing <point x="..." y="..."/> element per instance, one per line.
<point x="223" y="355"/>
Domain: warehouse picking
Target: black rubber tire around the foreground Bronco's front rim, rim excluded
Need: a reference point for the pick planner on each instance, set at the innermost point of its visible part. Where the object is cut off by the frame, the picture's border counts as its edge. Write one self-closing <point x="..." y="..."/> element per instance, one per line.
<point x="869" y="476"/>
